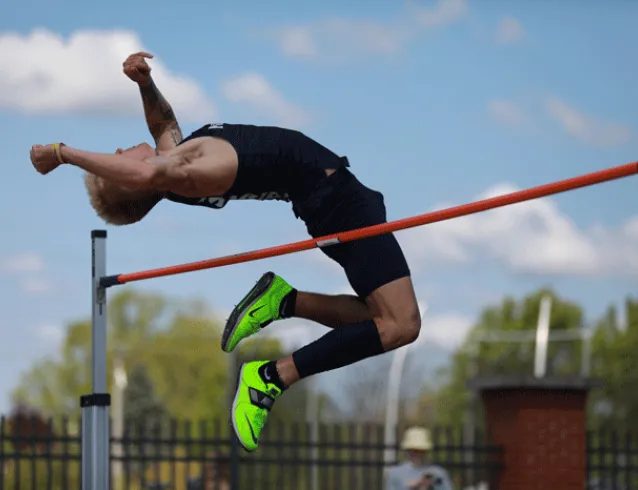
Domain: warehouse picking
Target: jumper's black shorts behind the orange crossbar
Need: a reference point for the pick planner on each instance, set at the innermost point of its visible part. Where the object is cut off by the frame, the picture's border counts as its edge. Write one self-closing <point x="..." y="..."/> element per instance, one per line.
<point x="339" y="202"/>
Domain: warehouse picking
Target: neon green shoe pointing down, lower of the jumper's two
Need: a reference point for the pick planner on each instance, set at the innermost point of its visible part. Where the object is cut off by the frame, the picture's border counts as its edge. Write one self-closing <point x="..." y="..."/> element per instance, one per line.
<point x="253" y="401"/>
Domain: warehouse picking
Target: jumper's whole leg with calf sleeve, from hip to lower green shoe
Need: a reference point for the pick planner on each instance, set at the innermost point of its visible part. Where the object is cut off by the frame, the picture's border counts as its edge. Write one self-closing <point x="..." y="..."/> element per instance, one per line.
<point x="378" y="272"/>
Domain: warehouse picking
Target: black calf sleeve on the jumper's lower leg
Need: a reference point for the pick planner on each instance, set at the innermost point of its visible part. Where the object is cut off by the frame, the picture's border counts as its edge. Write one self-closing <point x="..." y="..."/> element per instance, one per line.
<point x="338" y="348"/>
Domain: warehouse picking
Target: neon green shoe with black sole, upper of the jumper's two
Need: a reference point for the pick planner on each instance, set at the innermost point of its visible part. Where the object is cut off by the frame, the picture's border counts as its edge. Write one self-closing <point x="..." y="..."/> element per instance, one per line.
<point x="258" y="309"/>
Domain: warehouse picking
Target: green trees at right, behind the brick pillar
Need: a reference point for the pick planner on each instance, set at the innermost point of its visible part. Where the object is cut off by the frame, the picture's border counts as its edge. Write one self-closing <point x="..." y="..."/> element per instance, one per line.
<point x="613" y="347"/>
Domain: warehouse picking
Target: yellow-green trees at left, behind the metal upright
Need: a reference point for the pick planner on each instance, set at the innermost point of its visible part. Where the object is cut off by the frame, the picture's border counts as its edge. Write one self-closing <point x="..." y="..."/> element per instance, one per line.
<point x="171" y="353"/>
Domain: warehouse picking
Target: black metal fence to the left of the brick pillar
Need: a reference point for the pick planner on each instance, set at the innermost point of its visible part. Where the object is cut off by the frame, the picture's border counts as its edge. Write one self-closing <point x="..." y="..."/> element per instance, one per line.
<point x="46" y="455"/>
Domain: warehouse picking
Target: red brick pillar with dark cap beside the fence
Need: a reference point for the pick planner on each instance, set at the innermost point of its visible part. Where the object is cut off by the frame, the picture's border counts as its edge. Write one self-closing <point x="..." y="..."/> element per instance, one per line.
<point x="540" y="425"/>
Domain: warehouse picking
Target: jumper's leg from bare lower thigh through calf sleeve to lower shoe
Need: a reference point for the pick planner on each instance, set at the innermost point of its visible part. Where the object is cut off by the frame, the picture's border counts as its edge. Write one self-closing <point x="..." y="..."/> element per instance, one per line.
<point x="396" y="323"/>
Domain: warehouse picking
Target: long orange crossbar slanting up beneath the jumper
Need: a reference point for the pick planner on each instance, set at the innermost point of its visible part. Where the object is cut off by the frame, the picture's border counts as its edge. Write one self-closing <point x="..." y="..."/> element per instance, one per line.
<point x="423" y="219"/>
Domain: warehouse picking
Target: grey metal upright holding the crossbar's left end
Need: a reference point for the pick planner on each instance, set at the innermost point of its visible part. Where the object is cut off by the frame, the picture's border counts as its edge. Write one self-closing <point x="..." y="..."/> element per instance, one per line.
<point x="95" y="407"/>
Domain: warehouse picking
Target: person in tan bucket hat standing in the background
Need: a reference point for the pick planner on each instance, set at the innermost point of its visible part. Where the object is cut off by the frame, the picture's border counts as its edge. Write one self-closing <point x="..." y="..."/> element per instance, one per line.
<point x="417" y="472"/>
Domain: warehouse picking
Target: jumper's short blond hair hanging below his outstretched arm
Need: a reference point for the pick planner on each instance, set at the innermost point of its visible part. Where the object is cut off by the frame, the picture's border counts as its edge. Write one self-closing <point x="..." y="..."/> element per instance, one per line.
<point x="117" y="205"/>
